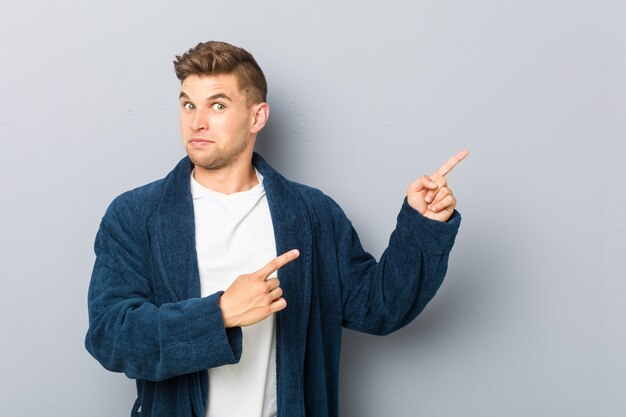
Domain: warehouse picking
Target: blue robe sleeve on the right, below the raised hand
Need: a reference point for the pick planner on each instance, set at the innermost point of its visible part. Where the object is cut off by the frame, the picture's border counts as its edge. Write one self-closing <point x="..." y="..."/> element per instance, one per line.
<point x="381" y="297"/>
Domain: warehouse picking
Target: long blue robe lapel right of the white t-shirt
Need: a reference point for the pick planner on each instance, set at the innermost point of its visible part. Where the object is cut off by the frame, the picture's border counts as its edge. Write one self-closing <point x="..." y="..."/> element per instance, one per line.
<point x="292" y="230"/>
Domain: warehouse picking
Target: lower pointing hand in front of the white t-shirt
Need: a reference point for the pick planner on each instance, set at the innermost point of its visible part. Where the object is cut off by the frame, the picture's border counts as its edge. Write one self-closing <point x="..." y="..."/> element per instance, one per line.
<point x="253" y="297"/>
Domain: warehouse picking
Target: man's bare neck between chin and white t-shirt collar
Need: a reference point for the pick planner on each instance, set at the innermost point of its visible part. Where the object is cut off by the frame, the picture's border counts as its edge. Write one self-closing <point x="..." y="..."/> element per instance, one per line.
<point x="228" y="180"/>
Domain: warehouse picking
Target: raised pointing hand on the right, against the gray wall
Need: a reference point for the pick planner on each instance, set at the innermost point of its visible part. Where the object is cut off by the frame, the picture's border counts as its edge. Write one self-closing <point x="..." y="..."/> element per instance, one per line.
<point x="430" y="195"/>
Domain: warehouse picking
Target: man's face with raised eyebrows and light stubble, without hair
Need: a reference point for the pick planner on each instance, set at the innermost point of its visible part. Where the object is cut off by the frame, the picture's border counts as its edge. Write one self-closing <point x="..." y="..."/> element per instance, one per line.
<point x="215" y="123"/>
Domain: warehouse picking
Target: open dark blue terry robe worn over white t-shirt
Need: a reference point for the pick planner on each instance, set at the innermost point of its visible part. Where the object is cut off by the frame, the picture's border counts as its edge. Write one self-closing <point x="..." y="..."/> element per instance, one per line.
<point x="147" y="319"/>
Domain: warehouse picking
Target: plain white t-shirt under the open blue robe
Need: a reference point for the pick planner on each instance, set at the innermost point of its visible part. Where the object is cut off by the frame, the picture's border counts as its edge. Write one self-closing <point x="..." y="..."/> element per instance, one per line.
<point x="235" y="236"/>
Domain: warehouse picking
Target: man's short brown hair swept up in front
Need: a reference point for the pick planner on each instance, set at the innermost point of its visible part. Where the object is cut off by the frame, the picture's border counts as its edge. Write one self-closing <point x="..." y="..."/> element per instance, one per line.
<point x="212" y="58"/>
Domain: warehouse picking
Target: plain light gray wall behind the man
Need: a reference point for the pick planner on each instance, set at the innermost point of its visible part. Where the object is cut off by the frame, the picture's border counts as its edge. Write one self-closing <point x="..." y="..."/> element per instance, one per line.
<point x="365" y="96"/>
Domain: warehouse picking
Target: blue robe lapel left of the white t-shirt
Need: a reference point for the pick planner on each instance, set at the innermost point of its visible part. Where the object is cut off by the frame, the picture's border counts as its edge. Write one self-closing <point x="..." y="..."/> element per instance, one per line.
<point x="176" y="239"/>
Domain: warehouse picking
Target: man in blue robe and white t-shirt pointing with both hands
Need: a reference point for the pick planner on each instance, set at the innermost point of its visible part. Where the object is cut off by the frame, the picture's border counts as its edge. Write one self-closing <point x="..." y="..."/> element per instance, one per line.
<point x="182" y="298"/>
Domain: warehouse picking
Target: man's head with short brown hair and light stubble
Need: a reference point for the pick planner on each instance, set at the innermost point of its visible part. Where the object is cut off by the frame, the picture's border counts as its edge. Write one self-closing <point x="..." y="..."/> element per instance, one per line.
<point x="222" y="105"/>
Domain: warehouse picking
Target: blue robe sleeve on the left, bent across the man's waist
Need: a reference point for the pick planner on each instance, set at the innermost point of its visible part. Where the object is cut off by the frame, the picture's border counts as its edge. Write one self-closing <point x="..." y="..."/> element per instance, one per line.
<point x="128" y="332"/>
